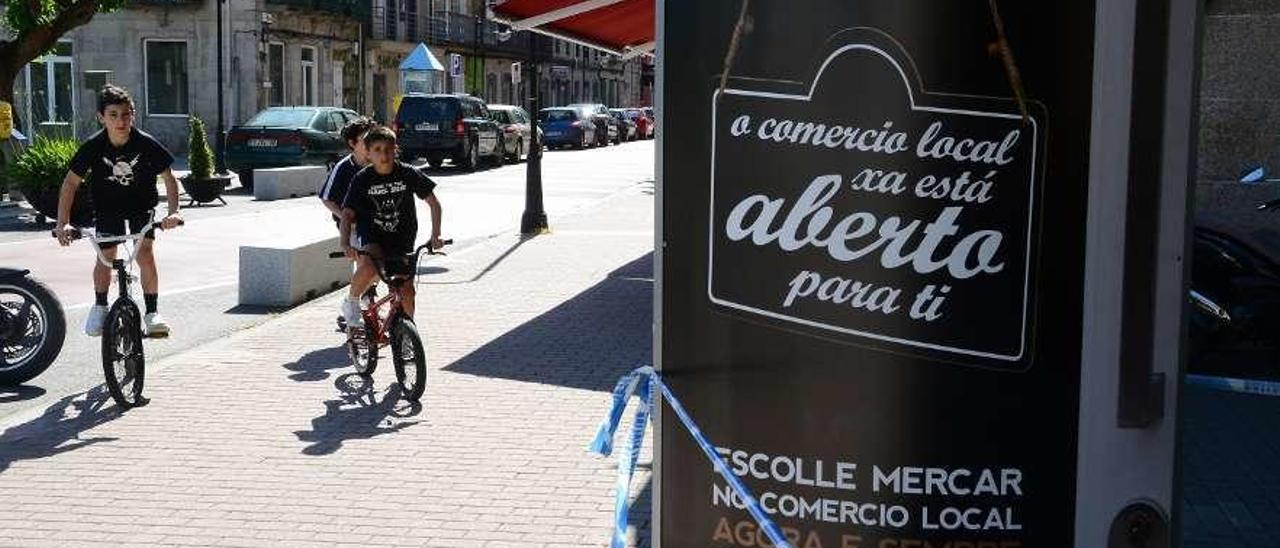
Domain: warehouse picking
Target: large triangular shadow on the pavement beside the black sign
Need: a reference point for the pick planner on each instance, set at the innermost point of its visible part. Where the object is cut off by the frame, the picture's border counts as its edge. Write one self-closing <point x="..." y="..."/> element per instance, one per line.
<point x="587" y="342"/>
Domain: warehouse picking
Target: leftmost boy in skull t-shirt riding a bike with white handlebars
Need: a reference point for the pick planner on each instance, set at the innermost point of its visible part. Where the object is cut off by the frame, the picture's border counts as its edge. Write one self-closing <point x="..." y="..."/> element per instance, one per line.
<point x="121" y="165"/>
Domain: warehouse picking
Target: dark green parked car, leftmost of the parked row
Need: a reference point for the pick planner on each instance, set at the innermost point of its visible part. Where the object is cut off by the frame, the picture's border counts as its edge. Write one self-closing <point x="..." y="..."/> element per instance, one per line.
<point x="285" y="136"/>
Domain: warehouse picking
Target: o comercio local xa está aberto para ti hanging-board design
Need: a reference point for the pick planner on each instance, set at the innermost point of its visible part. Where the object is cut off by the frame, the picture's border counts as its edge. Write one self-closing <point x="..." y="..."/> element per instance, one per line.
<point x="876" y="211"/>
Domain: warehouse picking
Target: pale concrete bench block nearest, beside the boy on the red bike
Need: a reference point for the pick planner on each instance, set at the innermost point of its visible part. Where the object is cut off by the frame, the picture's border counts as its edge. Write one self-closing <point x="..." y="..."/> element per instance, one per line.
<point x="290" y="272"/>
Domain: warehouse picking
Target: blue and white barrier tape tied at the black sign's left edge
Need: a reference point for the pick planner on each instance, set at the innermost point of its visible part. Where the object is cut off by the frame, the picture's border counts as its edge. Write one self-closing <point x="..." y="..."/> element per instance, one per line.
<point x="644" y="383"/>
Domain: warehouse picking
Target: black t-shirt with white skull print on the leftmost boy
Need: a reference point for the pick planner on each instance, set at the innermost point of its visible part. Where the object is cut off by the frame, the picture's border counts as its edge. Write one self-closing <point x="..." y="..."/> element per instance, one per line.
<point x="122" y="180"/>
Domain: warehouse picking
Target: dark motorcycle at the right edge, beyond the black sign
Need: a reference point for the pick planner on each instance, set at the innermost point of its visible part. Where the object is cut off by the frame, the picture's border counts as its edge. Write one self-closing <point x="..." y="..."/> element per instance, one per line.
<point x="1235" y="296"/>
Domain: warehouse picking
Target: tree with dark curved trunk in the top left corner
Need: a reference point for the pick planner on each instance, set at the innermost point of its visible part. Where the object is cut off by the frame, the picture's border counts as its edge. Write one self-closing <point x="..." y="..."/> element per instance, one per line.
<point x="33" y="28"/>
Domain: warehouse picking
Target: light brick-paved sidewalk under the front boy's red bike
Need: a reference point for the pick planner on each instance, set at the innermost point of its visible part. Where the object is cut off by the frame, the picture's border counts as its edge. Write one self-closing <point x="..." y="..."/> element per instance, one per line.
<point x="267" y="439"/>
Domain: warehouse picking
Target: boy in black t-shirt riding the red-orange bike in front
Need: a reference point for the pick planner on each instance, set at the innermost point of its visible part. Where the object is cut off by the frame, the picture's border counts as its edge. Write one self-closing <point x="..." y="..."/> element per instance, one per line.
<point x="381" y="205"/>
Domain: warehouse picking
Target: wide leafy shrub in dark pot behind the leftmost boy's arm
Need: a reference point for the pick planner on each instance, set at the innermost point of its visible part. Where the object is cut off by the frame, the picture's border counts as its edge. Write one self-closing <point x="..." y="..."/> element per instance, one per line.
<point x="38" y="173"/>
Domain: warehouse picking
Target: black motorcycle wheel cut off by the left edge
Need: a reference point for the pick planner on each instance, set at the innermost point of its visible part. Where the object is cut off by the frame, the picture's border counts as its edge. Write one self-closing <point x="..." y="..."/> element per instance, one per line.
<point x="33" y="327"/>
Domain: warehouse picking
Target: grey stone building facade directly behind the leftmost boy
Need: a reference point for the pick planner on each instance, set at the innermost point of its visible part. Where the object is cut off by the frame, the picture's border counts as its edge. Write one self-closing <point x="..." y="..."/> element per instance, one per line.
<point x="164" y="52"/>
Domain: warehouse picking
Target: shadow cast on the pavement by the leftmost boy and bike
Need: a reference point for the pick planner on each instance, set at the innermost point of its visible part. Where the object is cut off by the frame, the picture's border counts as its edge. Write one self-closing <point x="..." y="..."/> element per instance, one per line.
<point x="60" y="428"/>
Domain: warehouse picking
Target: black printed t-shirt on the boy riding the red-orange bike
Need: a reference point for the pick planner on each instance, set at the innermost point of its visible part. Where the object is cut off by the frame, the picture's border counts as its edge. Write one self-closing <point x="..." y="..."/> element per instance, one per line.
<point x="385" y="207"/>
